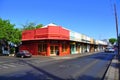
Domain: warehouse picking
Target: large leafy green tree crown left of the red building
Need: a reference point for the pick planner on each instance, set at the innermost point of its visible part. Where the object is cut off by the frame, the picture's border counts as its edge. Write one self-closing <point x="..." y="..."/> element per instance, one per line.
<point x="8" y="32"/>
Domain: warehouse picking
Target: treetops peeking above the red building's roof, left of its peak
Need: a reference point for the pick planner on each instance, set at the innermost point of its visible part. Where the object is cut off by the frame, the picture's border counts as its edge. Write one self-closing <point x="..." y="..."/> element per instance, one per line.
<point x="31" y="25"/>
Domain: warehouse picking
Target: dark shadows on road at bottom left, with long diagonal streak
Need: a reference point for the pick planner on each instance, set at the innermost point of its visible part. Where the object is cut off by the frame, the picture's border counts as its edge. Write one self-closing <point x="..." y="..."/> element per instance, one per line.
<point x="31" y="75"/>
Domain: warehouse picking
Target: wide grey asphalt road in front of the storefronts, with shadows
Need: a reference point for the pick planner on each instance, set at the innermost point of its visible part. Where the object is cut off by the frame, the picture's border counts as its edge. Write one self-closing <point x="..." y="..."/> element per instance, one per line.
<point x="90" y="67"/>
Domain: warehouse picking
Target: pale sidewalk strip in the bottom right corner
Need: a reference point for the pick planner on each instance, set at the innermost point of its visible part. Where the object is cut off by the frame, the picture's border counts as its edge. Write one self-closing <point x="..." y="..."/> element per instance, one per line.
<point x="113" y="70"/>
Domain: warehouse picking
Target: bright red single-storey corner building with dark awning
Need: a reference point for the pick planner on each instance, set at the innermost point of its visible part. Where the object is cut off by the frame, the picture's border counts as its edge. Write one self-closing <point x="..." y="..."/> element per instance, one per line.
<point x="48" y="41"/>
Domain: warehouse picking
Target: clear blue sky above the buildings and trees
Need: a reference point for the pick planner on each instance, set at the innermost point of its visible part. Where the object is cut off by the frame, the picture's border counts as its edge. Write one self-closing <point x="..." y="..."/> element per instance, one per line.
<point x="94" y="18"/>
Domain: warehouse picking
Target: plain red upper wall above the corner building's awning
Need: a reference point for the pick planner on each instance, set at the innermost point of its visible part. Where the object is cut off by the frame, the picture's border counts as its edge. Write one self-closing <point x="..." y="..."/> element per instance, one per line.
<point x="50" y="32"/>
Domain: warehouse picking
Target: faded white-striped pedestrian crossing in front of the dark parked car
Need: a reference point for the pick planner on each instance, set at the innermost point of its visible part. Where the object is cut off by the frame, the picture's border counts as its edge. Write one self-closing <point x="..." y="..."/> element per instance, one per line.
<point x="21" y="63"/>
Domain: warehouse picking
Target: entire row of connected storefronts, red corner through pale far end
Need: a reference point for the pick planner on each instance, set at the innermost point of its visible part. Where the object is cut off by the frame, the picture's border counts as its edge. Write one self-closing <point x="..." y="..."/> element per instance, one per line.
<point x="53" y="40"/>
